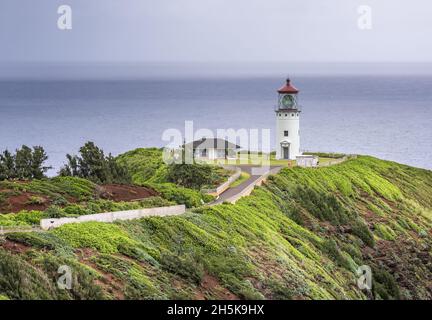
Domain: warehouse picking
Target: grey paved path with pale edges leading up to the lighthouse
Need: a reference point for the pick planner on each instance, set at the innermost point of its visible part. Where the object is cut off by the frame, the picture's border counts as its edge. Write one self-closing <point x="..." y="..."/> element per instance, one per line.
<point x="255" y="175"/>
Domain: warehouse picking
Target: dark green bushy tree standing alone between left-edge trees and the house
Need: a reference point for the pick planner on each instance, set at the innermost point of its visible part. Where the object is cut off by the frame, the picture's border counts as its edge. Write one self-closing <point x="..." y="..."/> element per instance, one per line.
<point x="92" y="164"/>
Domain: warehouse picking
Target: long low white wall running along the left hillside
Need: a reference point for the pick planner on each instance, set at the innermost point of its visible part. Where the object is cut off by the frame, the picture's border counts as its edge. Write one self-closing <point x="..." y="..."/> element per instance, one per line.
<point x="47" y="224"/>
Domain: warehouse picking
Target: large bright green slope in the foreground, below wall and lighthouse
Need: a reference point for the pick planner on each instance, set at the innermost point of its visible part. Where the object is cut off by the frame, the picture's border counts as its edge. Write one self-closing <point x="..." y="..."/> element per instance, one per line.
<point x="301" y="236"/>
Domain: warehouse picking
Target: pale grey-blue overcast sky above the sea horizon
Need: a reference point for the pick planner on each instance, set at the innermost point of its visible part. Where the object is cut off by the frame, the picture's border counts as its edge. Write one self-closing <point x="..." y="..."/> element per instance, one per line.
<point x="215" y="30"/>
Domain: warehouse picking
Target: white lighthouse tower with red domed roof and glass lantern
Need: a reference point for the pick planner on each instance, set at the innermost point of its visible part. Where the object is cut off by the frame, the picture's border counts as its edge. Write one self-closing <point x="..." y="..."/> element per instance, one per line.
<point x="288" y="123"/>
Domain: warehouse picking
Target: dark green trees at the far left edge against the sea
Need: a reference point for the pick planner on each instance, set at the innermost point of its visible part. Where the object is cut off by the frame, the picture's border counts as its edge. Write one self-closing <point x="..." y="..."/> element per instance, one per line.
<point x="24" y="164"/>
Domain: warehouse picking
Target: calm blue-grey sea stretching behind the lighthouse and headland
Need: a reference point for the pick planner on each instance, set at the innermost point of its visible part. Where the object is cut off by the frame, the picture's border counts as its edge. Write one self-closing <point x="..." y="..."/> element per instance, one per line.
<point x="385" y="116"/>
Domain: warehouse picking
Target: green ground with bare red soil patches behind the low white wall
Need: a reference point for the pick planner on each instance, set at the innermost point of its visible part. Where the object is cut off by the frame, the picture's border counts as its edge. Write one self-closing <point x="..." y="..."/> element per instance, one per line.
<point x="24" y="203"/>
